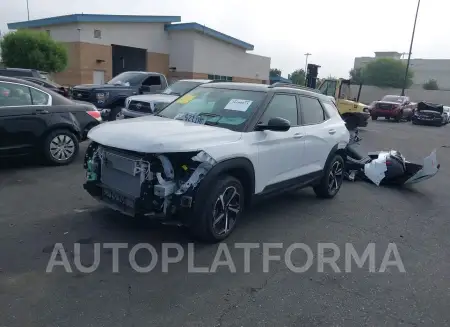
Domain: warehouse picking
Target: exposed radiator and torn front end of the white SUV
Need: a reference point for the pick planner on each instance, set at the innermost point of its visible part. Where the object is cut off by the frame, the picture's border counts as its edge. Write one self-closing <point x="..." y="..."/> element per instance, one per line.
<point x="158" y="185"/>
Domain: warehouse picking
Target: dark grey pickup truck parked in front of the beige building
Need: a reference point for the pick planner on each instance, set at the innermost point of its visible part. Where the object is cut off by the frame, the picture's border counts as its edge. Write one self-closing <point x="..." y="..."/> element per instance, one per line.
<point x="110" y="98"/>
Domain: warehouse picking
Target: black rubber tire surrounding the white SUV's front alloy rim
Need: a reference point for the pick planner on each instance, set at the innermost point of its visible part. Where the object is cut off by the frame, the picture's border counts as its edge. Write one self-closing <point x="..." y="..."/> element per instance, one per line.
<point x="203" y="218"/>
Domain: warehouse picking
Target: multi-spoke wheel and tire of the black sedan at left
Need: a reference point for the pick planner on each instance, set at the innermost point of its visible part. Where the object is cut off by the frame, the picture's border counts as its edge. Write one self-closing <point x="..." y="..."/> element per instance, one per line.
<point x="60" y="147"/>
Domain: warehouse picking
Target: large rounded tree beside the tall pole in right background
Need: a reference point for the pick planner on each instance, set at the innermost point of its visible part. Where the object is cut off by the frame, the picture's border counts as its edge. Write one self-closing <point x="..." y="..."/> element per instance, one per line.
<point x="387" y="72"/>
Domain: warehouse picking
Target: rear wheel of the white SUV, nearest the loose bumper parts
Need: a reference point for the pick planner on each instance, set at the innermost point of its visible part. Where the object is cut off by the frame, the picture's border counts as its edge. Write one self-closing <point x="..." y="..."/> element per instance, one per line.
<point x="331" y="182"/>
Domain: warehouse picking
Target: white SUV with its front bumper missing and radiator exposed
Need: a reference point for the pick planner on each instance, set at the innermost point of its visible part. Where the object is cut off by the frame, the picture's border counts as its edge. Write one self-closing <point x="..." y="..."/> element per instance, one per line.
<point x="214" y="151"/>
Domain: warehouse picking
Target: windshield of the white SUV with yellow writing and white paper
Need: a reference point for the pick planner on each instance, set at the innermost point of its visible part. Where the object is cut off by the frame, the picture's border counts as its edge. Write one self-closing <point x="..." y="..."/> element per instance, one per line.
<point x="213" y="106"/>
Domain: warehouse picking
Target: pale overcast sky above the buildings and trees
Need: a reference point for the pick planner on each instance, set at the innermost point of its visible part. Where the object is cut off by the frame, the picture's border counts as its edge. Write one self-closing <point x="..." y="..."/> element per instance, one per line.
<point x="333" y="31"/>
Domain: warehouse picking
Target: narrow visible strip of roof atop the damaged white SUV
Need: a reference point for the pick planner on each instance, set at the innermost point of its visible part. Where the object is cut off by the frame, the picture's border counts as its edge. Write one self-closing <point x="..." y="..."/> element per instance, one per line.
<point x="297" y="89"/>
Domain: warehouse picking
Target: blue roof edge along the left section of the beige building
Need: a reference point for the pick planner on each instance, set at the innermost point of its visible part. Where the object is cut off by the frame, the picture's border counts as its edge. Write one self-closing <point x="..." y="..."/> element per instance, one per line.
<point x="93" y="18"/>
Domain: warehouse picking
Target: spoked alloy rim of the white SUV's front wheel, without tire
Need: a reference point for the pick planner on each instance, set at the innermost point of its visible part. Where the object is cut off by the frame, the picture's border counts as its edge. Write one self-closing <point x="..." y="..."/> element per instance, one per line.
<point x="226" y="210"/>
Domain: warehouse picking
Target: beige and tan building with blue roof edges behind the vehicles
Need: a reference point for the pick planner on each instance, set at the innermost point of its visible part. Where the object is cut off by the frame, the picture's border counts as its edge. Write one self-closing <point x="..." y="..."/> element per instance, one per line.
<point x="103" y="46"/>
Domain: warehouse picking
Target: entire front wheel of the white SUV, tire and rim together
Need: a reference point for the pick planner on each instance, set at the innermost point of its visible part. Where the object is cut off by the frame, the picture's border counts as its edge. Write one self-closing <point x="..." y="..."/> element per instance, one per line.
<point x="217" y="217"/>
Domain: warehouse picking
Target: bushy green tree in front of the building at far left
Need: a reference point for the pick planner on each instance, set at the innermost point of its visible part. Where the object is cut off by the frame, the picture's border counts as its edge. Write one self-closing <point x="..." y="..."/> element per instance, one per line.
<point x="33" y="50"/>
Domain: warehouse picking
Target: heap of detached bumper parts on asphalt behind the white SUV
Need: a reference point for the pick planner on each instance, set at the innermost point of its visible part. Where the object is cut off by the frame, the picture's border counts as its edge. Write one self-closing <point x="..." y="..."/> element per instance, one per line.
<point x="387" y="167"/>
